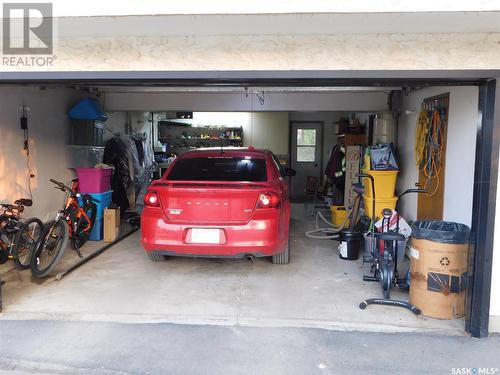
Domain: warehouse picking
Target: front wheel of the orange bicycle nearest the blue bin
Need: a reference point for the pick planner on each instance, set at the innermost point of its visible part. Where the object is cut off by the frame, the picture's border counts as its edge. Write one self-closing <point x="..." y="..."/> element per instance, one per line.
<point x="50" y="249"/>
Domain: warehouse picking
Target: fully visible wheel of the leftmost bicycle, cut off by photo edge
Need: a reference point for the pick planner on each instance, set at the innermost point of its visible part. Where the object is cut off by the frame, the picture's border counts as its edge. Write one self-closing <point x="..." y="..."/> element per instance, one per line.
<point x="26" y="239"/>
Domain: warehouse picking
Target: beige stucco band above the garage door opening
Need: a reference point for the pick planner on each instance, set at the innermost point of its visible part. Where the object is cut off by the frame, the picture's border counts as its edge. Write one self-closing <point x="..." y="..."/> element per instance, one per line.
<point x="275" y="52"/>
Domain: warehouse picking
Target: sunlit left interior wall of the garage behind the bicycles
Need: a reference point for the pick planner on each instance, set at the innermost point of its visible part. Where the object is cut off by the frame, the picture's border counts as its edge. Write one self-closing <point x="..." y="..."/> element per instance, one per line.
<point x="49" y="130"/>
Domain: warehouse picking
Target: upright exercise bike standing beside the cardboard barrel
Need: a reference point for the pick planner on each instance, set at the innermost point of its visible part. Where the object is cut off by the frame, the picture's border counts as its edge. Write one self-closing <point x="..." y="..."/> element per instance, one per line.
<point x="384" y="255"/>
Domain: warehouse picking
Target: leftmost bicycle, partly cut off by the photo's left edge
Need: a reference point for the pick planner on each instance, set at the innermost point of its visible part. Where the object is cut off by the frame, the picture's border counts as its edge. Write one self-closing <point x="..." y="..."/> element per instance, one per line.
<point x="18" y="238"/>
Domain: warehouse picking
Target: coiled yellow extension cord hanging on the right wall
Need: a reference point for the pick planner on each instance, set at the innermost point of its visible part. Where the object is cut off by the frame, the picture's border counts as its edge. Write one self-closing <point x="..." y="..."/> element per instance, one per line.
<point x="428" y="148"/>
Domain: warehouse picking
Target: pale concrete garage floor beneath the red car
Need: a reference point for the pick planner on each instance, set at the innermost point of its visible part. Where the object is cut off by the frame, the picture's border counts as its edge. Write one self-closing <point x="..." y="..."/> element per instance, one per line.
<point x="317" y="289"/>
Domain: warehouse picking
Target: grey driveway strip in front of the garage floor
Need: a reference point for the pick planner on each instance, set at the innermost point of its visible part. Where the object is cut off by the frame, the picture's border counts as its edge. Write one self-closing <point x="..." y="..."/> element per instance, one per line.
<point x="54" y="347"/>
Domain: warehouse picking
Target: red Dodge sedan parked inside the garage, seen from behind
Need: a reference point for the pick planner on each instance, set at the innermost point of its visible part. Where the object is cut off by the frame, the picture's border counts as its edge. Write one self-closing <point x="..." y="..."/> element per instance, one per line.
<point x="214" y="202"/>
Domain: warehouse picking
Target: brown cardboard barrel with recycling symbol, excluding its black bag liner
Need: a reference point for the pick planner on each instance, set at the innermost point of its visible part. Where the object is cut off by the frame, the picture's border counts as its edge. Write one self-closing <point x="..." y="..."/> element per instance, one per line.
<point x="438" y="278"/>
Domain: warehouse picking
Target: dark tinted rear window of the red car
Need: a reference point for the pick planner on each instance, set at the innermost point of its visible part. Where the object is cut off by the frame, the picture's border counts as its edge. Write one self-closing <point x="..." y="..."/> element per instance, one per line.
<point x="219" y="168"/>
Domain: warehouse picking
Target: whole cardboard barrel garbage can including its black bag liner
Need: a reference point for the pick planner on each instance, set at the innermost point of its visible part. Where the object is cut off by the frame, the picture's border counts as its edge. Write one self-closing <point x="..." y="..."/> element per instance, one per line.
<point x="438" y="270"/>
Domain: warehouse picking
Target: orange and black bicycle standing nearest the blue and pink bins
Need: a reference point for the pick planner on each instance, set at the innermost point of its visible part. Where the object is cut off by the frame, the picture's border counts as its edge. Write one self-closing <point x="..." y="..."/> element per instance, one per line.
<point x="74" y="221"/>
